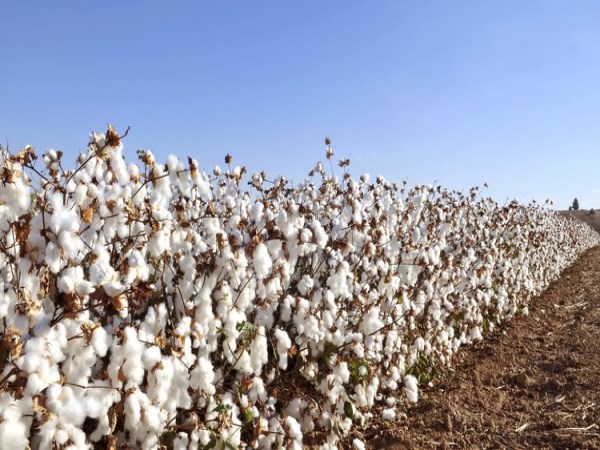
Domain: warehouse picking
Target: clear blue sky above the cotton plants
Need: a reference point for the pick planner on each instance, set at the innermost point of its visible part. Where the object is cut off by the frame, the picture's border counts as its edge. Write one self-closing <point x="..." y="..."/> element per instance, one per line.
<point x="462" y="92"/>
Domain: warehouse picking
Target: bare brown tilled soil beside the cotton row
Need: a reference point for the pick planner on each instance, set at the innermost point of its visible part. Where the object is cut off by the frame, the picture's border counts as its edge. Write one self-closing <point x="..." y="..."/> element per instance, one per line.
<point x="536" y="386"/>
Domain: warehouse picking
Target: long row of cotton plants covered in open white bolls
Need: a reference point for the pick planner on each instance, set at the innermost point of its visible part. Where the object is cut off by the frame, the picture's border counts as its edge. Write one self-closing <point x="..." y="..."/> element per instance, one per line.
<point x="163" y="306"/>
